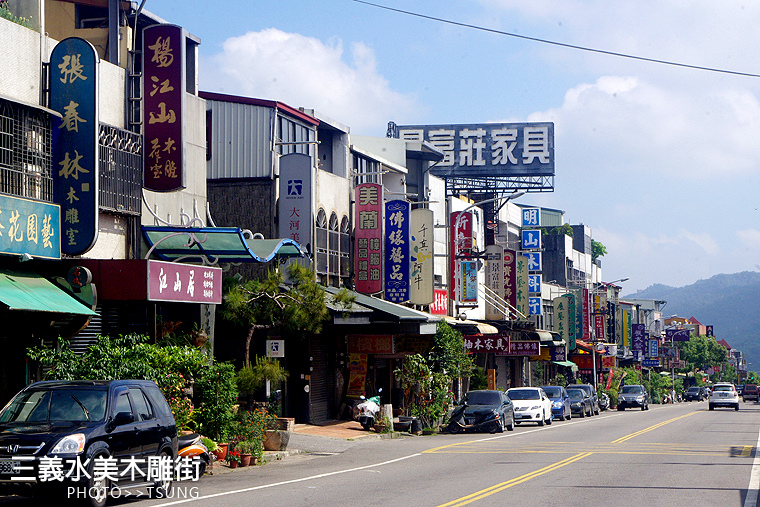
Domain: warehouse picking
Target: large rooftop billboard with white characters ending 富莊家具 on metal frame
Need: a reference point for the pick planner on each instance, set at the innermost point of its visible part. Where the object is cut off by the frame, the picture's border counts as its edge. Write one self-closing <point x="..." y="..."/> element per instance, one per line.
<point x="505" y="149"/>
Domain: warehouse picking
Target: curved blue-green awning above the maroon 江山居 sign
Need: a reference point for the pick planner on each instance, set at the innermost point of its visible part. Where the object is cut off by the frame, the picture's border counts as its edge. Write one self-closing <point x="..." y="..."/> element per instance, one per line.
<point x="216" y="244"/>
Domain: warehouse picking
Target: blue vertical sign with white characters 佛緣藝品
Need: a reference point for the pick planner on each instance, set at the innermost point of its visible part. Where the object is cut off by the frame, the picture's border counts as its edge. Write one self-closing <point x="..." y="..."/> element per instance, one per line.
<point x="397" y="251"/>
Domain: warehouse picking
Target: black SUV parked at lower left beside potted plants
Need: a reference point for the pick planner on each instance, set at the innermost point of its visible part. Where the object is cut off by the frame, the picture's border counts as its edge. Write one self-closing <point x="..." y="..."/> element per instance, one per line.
<point x="90" y="438"/>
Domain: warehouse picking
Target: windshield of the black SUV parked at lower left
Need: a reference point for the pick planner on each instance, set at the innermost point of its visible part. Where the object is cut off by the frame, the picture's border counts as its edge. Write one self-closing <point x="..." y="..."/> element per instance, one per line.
<point x="57" y="405"/>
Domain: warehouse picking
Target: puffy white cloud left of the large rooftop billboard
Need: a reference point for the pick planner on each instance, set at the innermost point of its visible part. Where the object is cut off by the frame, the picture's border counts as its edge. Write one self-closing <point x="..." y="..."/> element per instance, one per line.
<point x="306" y="72"/>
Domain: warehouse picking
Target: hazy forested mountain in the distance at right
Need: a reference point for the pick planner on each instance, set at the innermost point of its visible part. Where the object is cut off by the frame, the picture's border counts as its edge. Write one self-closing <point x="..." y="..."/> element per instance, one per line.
<point x="727" y="302"/>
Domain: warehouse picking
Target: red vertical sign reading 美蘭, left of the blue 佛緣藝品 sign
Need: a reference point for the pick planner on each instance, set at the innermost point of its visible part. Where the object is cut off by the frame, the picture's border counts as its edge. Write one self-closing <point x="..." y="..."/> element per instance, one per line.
<point x="369" y="238"/>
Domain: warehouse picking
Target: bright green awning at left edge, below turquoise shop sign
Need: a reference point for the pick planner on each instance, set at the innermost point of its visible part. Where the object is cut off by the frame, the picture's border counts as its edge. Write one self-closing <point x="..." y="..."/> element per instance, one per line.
<point x="34" y="293"/>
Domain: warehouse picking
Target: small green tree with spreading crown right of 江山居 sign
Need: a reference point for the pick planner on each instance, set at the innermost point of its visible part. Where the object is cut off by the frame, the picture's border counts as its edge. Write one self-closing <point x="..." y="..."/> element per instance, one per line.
<point x="297" y="307"/>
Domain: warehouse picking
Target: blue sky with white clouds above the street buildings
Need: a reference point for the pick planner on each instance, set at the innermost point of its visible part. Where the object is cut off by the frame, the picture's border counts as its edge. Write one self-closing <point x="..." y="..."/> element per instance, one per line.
<point x="662" y="162"/>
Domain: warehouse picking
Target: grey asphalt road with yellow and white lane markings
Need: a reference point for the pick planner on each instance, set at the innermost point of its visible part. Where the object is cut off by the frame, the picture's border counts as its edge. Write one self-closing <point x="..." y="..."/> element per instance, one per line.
<point x="679" y="454"/>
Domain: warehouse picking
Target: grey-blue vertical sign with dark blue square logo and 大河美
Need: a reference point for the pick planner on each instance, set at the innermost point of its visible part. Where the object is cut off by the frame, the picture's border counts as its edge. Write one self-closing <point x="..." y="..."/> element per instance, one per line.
<point x="295" y="205"/>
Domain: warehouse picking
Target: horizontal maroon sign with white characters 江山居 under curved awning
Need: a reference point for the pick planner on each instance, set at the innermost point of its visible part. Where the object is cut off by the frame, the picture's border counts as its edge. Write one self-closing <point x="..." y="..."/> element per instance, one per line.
<point x="186" y="283"/>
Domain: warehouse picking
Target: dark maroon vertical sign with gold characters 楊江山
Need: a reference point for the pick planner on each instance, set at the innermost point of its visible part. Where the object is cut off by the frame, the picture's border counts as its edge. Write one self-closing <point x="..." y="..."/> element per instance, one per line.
<point x="164" y="107"/>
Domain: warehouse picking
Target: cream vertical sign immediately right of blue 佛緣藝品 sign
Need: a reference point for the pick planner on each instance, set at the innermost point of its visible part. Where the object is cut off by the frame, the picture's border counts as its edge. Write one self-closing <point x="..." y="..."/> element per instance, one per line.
<point x="421" y="257"/>
